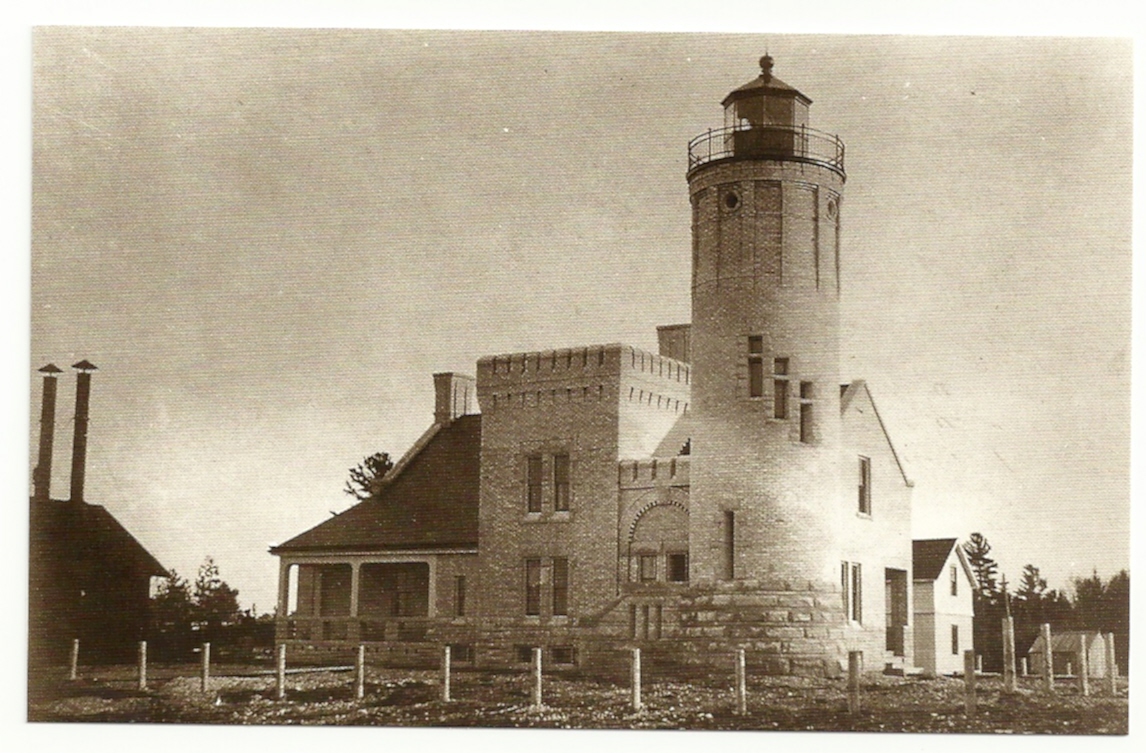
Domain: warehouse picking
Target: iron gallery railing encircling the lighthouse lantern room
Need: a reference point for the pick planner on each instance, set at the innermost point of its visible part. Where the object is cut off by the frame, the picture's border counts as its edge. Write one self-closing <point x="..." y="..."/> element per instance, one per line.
<point x="791" y="144"/>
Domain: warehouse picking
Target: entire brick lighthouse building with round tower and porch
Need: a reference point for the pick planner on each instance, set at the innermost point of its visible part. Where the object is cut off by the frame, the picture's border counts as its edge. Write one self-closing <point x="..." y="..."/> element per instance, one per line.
<point x="725" y="492"/>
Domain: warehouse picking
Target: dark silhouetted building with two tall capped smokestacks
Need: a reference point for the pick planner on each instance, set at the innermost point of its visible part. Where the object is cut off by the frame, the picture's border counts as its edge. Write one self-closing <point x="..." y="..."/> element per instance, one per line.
<point x="89" y="578"/>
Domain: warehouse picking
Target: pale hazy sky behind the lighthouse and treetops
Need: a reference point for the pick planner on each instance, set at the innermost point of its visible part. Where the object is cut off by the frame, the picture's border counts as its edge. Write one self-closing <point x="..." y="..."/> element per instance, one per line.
<point x="269" y="240"/>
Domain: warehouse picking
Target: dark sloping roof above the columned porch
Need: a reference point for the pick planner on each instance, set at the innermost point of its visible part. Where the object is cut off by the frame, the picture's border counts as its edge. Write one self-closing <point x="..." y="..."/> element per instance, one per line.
<point x="430" y="504"/>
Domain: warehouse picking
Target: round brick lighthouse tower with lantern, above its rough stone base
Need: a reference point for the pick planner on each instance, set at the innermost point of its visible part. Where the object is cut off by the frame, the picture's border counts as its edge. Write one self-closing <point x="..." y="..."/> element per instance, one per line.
<point x="766" y="490"/>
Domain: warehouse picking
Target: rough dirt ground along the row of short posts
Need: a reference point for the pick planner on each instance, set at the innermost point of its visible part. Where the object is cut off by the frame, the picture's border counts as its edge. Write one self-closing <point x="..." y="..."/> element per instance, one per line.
<point x="412" y="699"/>
